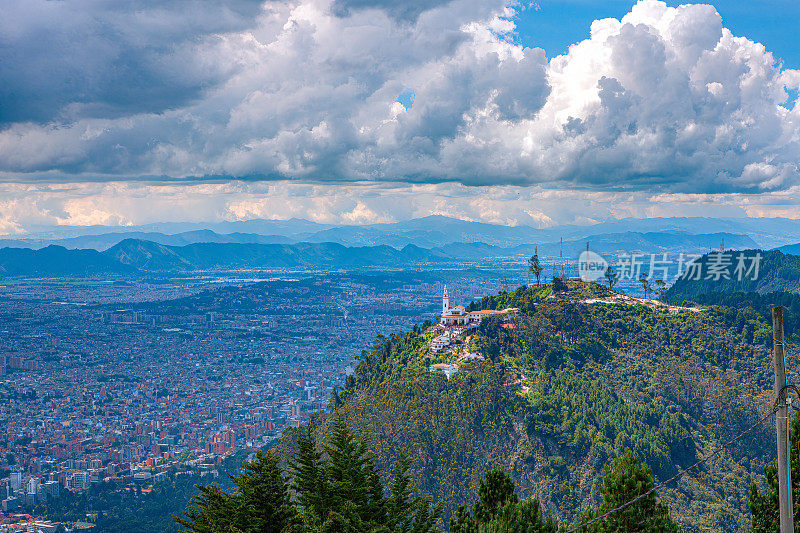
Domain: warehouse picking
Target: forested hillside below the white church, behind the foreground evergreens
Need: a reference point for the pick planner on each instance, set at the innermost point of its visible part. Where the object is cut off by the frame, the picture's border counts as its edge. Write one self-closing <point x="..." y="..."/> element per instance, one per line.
<point x="566" y="390"/>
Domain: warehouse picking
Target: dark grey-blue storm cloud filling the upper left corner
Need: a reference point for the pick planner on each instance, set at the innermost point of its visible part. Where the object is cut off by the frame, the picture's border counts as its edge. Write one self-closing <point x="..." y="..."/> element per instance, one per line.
<point x="63" y="60"/>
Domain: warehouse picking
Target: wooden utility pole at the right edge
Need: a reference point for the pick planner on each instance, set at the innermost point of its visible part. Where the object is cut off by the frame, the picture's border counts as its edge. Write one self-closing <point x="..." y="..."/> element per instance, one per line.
<point x="782" y="424"/>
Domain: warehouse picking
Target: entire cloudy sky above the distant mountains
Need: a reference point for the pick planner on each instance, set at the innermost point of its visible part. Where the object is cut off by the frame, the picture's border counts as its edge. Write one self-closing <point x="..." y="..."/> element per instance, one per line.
<point x="360" y="111"/>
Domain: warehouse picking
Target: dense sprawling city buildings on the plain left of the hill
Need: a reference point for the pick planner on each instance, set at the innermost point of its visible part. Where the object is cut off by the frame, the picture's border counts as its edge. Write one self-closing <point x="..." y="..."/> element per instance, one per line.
<point x="128" y="383"/>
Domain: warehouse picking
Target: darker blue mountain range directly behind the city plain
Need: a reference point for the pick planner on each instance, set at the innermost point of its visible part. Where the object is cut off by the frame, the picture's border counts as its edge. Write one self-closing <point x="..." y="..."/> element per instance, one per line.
<point x="248" y="252"/>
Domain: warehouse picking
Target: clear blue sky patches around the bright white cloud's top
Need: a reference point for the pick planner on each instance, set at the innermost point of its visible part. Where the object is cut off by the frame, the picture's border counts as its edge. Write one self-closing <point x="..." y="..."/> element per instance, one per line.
<point x="556" y="24"/>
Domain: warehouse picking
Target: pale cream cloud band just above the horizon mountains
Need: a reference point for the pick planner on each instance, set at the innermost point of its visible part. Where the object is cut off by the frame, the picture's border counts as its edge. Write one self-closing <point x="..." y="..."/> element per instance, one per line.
<point x="32" y="208"/>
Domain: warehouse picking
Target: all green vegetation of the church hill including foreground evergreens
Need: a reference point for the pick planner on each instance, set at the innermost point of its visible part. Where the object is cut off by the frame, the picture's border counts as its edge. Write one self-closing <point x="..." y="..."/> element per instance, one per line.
<point x="544" y="427"/>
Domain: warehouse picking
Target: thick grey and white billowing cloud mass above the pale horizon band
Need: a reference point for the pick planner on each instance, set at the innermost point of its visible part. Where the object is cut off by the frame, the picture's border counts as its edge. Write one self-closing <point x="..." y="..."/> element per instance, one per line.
<point x="665" y="99"/>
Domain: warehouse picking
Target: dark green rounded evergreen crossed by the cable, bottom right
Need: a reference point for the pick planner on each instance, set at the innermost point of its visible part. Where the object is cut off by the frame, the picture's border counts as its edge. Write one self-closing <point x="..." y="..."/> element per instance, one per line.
<point x="623" y="482"/>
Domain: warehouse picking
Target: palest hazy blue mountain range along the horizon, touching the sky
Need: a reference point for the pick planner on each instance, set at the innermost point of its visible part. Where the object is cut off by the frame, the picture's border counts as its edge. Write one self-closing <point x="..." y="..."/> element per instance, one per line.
<point x="427" y="232"/>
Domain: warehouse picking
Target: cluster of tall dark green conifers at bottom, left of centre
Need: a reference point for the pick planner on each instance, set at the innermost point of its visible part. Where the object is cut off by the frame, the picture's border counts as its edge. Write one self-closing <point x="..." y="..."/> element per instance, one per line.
<point x="338" y="492"/>
